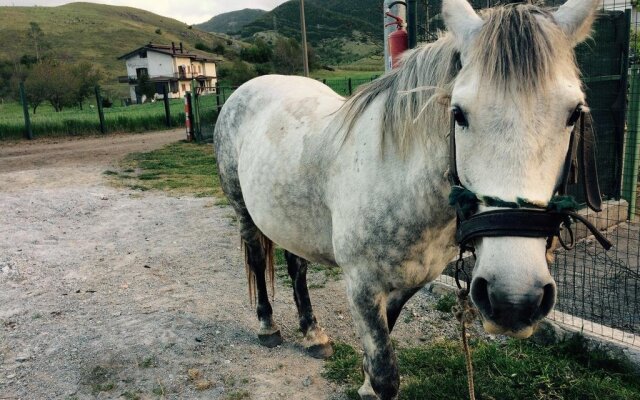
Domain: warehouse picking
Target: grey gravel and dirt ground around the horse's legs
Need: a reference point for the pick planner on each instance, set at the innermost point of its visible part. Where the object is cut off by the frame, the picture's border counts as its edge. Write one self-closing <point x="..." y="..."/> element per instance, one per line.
<point x="114" y="293"/>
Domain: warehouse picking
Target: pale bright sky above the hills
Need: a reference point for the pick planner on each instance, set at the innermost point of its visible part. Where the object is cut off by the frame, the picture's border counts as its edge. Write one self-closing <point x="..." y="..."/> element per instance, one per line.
<point x="188" y="11"/>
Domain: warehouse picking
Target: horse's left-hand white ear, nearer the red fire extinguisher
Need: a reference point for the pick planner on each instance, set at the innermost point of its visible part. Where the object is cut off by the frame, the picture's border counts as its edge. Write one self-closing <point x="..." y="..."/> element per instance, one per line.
<point x="461" y="20"/>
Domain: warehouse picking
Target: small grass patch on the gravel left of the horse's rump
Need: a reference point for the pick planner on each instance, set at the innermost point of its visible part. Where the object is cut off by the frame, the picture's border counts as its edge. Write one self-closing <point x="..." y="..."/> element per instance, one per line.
<point x="178" y="168"/>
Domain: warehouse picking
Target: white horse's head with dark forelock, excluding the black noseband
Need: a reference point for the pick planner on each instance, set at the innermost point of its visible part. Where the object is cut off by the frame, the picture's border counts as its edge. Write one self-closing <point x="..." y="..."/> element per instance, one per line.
<point x="515" y="101"/>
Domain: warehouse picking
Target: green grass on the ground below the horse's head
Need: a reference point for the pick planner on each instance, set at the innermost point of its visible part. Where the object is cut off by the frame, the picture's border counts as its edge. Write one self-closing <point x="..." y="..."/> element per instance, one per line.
<point x="512" y="370"/>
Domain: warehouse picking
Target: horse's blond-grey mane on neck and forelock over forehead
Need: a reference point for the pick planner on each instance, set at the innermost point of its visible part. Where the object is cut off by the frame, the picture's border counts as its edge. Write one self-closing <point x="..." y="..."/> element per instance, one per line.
<point x="519" y="48"/>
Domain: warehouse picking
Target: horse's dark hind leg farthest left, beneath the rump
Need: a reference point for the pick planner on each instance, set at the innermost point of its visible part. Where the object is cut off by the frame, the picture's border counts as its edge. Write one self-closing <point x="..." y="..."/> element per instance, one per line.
<point x="258" y="259"/>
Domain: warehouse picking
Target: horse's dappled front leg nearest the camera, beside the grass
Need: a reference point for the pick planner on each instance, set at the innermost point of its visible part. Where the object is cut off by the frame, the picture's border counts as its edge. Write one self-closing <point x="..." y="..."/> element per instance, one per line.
<point x="368" y="306"/>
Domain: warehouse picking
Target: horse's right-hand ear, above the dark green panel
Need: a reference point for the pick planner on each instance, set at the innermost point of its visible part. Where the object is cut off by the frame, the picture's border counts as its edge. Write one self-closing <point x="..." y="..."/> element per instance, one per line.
<point x="575" y="18"/>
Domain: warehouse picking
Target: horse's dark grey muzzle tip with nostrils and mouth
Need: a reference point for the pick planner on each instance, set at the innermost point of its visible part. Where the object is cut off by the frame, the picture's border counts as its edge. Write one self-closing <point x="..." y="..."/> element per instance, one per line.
<point x="512" y="315"/>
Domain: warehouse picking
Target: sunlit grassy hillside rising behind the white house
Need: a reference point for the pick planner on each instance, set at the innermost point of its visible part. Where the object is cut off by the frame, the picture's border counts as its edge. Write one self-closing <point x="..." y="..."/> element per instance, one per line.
<point x="94" y="32"/>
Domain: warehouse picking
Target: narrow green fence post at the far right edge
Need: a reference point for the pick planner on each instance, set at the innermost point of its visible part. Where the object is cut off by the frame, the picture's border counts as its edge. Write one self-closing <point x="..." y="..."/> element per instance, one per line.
<point x="632" y="147"/>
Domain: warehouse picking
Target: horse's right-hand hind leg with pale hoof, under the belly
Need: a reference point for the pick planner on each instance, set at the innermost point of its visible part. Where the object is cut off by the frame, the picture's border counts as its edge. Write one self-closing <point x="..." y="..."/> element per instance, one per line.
<point x="316" y="342"/>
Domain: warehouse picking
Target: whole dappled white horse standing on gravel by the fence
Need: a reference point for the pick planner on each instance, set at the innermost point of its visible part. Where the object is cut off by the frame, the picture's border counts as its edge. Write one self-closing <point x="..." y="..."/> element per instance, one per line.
<point x="362" y="182"/>
